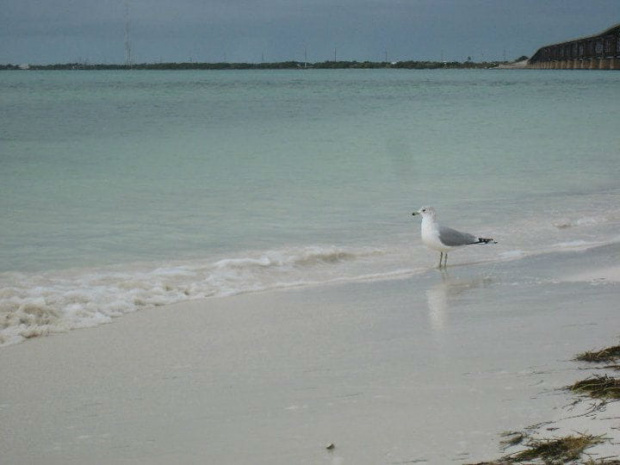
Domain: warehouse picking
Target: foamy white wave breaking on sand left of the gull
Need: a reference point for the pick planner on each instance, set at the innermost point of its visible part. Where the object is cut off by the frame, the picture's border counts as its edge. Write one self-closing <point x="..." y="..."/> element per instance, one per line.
<point x="36" y="304"/>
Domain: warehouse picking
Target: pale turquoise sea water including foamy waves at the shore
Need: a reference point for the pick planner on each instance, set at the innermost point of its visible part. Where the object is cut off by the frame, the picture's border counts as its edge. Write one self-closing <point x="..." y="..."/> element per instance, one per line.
<point x="126" y="190"/>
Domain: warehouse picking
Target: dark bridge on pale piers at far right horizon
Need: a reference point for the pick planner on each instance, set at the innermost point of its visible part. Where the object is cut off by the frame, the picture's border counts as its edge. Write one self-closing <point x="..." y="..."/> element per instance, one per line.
<point x="601" y="51"/>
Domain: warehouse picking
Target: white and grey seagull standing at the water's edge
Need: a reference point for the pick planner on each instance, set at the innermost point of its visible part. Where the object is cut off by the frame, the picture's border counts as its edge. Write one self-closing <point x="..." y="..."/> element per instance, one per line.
<point x="443" y="239"/>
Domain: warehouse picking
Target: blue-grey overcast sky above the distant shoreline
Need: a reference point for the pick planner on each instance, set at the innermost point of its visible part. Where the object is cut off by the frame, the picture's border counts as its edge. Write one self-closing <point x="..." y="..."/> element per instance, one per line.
<point x="61" y="31"/>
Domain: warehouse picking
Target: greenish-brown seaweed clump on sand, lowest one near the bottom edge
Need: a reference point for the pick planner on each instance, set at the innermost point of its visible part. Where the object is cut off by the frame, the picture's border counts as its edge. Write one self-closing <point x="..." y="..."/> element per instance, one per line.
<point x="551" y="451"/>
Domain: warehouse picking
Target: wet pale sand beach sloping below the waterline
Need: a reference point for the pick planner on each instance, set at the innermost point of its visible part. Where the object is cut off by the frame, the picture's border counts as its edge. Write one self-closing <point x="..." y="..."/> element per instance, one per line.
<point x="427" y="369"/>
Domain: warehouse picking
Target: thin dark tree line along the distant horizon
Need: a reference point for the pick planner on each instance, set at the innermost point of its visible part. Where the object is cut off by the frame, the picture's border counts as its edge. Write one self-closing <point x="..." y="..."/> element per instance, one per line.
<point x="279" y="65"/>
